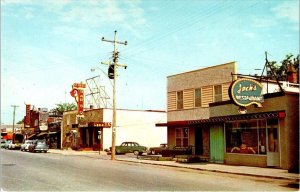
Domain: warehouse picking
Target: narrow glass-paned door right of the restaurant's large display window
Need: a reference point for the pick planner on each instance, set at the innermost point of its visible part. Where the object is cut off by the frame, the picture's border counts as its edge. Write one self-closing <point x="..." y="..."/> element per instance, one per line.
<point x="273" y="145"/>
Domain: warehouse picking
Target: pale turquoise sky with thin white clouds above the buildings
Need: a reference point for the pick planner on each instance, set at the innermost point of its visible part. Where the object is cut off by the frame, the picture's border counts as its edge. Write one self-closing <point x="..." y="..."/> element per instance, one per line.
<point x="48" y="45"/>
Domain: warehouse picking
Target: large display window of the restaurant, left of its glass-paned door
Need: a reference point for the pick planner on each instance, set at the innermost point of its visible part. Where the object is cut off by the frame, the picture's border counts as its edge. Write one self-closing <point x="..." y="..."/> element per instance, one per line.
<point x="248" y="137"/>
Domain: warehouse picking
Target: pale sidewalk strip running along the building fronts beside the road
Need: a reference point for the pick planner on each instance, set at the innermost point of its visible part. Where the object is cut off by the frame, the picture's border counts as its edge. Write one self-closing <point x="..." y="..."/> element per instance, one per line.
<point x="232" y="169"/>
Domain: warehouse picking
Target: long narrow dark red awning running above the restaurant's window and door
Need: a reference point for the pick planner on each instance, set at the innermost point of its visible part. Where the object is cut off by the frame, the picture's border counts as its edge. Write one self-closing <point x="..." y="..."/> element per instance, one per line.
<point x="264" y="115"/>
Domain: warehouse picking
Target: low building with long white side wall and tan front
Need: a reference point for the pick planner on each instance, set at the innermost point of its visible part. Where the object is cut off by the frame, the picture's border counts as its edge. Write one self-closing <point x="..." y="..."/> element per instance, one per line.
<point x="132" y="125"/>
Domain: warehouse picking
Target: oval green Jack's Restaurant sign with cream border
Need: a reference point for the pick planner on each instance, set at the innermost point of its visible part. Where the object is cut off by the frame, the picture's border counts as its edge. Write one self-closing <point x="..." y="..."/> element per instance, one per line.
<point x="245" y="92"/>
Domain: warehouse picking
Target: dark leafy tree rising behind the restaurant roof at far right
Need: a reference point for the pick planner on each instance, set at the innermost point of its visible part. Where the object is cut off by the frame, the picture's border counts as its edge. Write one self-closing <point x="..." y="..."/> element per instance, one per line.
<point x="280" y="71"/>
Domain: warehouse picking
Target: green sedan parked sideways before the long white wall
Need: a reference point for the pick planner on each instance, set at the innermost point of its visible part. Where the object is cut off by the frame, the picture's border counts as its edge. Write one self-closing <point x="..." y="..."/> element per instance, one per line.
<point x="130" y="147"/>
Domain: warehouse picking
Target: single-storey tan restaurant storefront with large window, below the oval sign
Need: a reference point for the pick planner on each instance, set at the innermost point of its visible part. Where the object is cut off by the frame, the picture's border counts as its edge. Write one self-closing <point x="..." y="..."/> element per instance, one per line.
<point x="264" y="136"/>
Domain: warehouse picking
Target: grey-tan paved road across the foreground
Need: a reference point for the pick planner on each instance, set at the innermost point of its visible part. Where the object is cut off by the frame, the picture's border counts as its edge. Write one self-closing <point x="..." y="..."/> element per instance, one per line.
<point x="22" y="171"/>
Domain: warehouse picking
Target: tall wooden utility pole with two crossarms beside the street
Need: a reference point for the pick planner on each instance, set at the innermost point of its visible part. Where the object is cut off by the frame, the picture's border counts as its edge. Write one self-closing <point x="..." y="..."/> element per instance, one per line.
<point x="112" y="70"/>
